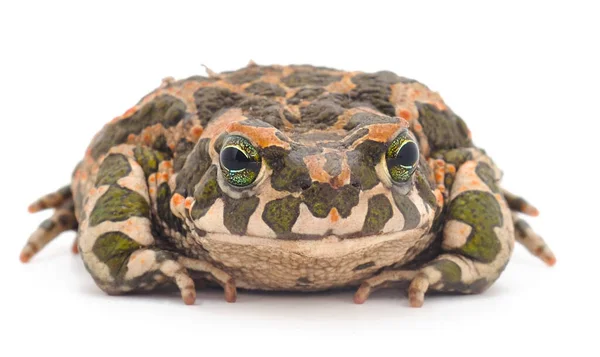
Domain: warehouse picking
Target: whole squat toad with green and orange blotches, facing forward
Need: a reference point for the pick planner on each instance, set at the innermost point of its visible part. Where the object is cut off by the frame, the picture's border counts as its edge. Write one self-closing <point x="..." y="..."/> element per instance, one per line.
<point x="289" y="178"/>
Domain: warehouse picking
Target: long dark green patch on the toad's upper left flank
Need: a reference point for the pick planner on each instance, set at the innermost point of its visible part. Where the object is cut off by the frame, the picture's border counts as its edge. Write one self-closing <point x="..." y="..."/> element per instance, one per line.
<point x="165" y="110"/>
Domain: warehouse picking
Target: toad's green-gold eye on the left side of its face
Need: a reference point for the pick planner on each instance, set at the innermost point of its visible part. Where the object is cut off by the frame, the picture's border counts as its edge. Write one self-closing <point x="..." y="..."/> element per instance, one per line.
<point x="240" y="161"/>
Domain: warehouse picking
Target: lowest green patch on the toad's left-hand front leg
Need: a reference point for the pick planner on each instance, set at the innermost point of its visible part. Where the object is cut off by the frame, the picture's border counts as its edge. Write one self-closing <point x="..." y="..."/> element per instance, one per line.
<point x="114" y="249"/>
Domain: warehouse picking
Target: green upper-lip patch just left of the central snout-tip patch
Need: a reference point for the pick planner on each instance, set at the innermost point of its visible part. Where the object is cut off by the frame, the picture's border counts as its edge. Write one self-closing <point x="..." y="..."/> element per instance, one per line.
<point x="281" y="214"/>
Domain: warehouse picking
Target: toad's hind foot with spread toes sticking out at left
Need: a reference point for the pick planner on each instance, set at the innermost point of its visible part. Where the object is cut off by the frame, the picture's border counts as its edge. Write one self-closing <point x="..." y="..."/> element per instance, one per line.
<point x="63" y="219"/>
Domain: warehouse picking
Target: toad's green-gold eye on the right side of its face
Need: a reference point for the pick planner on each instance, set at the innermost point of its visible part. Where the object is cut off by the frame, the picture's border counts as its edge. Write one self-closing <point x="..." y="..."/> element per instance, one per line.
<point x="402" y="157"/>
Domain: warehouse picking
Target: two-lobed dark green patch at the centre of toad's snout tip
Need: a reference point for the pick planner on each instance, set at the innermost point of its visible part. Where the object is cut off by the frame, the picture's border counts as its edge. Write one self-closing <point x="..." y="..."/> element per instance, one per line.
<point x="320" y="198"/>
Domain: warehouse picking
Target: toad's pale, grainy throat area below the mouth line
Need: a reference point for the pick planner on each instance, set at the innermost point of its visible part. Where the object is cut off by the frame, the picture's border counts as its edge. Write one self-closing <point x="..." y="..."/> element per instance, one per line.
<point x="310" y="265"/>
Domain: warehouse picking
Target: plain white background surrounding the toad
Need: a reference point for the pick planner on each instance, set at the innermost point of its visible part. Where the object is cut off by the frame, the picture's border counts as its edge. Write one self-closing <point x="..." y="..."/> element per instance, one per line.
<point x="523" y="76"/>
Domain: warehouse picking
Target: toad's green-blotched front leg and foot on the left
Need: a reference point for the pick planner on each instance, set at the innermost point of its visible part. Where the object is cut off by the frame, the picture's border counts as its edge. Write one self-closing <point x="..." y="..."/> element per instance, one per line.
<point x="116" y="239"/>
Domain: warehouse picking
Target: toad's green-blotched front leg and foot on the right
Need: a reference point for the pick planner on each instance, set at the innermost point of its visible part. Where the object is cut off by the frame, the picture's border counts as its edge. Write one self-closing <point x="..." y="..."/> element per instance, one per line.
<point x="478" y="239"/>
